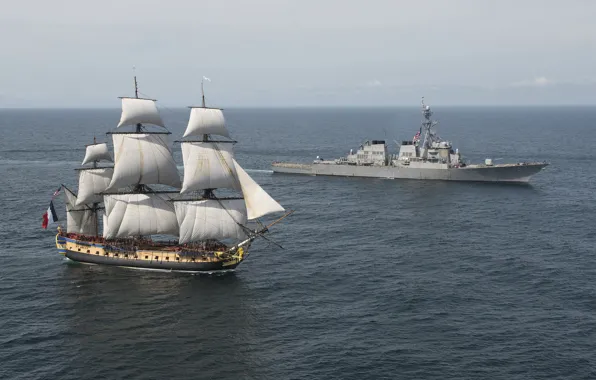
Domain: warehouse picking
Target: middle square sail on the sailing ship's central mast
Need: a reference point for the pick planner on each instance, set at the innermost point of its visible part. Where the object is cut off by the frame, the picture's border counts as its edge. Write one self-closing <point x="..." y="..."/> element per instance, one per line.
<point x="143" y="158"/>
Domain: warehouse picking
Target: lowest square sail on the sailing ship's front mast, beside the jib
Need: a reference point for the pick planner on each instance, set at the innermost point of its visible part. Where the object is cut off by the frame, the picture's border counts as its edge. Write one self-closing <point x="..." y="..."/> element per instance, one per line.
<point x="207" y="219"/>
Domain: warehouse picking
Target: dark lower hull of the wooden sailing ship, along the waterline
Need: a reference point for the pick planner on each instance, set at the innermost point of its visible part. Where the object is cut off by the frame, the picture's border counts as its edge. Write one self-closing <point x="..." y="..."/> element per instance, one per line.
<point x="154" y="264"/>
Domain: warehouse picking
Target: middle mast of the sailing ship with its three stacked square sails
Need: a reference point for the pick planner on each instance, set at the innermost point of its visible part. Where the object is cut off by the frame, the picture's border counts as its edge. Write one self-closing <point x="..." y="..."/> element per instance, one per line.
<point x="142" y="158"/>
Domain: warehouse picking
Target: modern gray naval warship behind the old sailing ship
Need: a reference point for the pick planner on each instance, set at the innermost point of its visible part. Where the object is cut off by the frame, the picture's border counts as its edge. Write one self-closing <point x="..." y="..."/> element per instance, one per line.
<point x="433" y="159"/>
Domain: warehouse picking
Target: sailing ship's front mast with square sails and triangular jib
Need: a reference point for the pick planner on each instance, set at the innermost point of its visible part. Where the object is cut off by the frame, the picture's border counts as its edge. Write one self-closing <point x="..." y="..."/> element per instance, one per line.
<point x="209" y="166"/>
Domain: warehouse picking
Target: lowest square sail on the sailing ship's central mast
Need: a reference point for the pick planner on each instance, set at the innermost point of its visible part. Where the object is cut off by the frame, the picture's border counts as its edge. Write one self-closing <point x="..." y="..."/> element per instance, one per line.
<point x="139" y="214"/>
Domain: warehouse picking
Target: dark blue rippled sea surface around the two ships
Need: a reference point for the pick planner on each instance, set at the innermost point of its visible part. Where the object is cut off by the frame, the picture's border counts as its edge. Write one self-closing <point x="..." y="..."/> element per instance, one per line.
<point x="378" y="279"/>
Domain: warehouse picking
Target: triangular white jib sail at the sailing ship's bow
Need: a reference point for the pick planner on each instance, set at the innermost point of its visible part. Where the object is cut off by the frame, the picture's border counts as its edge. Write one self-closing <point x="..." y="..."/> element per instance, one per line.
<point x="258" y="202"/>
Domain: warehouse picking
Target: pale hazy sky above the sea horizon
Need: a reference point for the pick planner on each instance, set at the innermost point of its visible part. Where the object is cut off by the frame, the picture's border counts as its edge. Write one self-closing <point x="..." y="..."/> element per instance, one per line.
<point x="286" y="53"/>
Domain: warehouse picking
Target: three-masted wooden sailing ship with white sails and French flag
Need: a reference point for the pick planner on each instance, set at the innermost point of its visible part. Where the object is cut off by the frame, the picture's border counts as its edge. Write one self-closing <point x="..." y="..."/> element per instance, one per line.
<point x="139" y="213"/>
